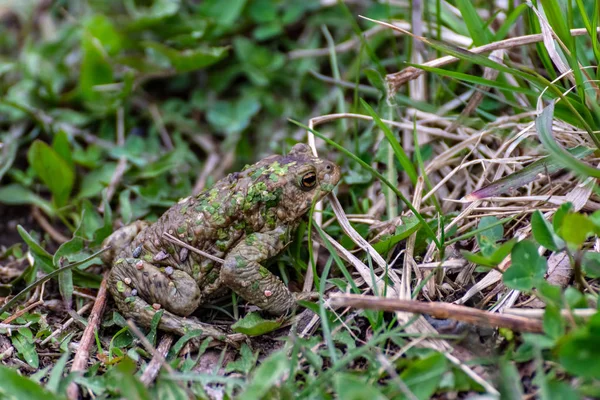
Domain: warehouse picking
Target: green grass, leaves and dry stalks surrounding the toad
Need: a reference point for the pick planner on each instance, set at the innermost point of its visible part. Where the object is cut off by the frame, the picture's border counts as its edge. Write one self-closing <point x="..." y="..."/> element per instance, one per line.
<point x="468" y="178"/>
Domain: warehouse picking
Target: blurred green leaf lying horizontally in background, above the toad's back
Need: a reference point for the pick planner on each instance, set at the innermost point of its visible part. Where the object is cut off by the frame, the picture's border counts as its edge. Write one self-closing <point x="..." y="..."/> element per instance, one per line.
<point x="190" y="59"/>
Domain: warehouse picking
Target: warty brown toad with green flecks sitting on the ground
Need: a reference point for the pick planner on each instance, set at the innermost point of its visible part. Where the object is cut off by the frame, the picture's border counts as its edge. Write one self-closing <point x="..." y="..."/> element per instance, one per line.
<point x="245" y="219"/>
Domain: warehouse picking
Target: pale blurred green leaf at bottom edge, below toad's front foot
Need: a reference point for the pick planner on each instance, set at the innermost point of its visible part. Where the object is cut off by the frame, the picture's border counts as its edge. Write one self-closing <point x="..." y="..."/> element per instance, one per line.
<point x="270" y="372"/>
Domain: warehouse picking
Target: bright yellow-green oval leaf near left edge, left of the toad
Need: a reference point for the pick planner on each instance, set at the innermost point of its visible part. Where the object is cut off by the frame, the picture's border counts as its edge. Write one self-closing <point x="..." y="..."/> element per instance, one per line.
<point x="55" y="172"/>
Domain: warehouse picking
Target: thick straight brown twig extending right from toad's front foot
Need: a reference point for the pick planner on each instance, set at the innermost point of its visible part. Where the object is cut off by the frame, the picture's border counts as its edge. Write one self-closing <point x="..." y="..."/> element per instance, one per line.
<point x="439" y="310"/>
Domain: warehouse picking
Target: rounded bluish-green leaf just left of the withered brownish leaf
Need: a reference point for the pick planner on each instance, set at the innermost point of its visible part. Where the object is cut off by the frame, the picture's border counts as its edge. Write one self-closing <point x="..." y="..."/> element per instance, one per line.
<point x="527" y="267"/>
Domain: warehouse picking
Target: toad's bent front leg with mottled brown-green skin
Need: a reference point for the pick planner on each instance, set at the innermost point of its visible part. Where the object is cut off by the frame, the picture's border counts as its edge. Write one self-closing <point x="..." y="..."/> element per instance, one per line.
<point x="243" y="273"/>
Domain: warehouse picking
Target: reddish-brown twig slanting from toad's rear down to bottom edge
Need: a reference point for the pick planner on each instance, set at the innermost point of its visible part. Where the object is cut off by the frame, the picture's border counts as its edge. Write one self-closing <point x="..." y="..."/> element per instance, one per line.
<point x="83" y="351"/>
